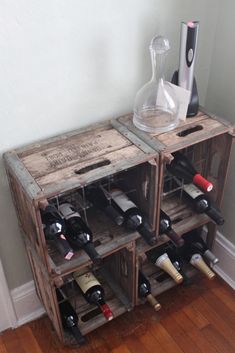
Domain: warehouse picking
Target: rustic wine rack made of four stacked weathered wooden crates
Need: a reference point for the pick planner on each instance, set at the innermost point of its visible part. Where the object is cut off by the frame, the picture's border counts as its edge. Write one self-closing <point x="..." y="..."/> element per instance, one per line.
<point x="112" y="153"/>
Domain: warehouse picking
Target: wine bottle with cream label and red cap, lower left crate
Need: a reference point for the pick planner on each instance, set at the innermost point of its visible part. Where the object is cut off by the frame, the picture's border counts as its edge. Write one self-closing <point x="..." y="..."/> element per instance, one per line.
<point x="93" y="292"/>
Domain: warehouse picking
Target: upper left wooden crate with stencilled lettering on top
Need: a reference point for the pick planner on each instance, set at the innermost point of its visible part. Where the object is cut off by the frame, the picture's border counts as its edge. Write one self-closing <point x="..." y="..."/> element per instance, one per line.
<point x="63" y="166"/>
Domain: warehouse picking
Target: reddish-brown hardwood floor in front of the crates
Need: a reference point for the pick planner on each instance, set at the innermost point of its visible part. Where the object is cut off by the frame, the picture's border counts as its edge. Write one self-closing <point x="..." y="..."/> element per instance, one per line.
<point x="196" y="319"/>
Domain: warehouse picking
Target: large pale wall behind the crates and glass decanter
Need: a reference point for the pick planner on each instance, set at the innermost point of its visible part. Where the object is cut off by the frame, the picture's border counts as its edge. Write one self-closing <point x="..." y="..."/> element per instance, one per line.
<point x="67" y="63"/>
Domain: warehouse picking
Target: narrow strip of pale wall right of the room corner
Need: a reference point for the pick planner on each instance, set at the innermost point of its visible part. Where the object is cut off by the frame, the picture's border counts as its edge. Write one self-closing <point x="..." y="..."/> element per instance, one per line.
<point x="221" y="97"/>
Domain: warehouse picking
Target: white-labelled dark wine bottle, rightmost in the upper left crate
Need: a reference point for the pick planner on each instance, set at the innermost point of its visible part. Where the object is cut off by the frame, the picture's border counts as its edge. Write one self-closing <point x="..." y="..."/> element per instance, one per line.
<point x="133" y="219"/>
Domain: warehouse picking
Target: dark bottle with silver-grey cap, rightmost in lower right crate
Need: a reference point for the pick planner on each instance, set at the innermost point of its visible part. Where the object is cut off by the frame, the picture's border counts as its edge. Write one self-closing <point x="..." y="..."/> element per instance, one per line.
<point x="196" y="244"/>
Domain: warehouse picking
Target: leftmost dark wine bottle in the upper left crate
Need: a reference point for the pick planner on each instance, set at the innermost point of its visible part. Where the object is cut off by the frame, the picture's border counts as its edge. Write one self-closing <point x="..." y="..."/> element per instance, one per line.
<point x="54" y="229"/>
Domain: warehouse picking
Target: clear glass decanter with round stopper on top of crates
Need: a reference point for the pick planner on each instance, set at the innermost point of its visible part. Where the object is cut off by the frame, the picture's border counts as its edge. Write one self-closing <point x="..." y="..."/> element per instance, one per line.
<point x="156" y="105"/>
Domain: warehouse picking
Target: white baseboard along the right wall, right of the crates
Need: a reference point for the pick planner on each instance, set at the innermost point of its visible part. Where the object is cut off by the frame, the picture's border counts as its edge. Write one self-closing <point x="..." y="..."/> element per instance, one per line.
<point x="225" y="251"/>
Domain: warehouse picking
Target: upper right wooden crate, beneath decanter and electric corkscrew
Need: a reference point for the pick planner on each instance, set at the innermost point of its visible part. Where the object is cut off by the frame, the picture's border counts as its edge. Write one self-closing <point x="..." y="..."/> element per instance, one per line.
<point x="208" y="140"/>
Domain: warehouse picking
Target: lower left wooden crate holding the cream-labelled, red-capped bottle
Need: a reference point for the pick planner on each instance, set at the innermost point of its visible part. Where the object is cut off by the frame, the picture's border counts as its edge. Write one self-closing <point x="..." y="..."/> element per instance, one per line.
<point x="117" y="276"/>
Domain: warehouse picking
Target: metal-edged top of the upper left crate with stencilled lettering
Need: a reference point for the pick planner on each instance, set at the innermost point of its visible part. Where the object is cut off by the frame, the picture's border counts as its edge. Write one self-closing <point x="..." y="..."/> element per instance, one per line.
<point x="78" y="158"/>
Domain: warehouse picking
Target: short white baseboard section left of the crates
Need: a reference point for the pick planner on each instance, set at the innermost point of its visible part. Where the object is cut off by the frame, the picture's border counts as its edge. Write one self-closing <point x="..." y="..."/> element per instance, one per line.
<point x="26" y="303"/>
